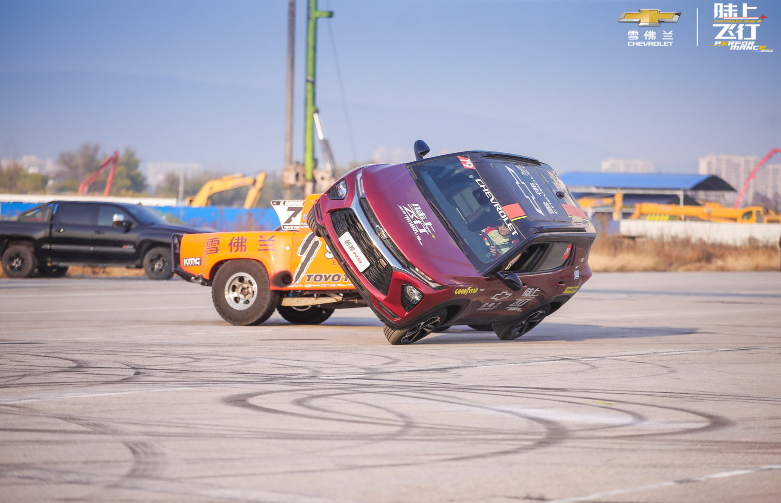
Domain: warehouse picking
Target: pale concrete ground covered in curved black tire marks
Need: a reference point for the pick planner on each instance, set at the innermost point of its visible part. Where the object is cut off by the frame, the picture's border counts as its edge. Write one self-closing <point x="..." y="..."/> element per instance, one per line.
<point x="646" y="387"/>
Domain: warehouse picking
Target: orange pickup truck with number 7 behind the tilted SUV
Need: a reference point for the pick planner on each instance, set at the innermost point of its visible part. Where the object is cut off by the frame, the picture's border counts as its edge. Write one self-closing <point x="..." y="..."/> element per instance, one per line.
<point x="253" y="273"/>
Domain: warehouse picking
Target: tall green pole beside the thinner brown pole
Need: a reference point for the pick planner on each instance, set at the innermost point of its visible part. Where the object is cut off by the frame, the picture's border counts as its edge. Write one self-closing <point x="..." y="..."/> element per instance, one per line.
<point x="310" y="108"/>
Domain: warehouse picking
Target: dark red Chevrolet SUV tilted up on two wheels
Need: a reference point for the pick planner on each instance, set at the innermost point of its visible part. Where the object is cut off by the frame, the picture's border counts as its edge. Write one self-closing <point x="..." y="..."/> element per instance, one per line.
<point x="485" y="239"/>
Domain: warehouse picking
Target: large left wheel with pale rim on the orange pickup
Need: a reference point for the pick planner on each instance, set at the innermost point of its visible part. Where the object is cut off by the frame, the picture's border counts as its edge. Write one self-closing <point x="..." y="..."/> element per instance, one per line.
<point x="241" y="293"/>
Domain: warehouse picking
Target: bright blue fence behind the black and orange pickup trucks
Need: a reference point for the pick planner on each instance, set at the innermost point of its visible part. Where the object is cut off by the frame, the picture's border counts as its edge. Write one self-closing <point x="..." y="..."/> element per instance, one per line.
<point x="216" y="217"/>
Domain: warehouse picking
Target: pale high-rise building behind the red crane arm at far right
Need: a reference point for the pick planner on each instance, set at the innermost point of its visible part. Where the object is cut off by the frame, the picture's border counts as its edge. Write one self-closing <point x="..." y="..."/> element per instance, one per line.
<point x="734" y="169"/>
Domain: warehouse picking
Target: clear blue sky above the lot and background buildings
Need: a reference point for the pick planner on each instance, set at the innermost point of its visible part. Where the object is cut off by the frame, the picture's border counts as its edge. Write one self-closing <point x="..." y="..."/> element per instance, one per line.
<point x="204" y="81"/>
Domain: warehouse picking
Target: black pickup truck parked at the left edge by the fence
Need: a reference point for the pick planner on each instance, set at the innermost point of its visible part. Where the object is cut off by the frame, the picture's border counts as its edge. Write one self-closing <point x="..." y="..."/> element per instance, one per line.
<point x="58" y="234"/>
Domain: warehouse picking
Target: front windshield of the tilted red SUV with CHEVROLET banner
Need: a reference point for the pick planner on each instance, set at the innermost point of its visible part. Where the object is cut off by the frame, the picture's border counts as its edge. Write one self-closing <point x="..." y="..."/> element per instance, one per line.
<point x="467" y="207"/>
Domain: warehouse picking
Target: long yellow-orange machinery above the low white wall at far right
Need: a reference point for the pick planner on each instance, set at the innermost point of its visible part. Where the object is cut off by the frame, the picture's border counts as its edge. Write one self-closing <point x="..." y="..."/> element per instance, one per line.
<point x="711" y="212"/>
